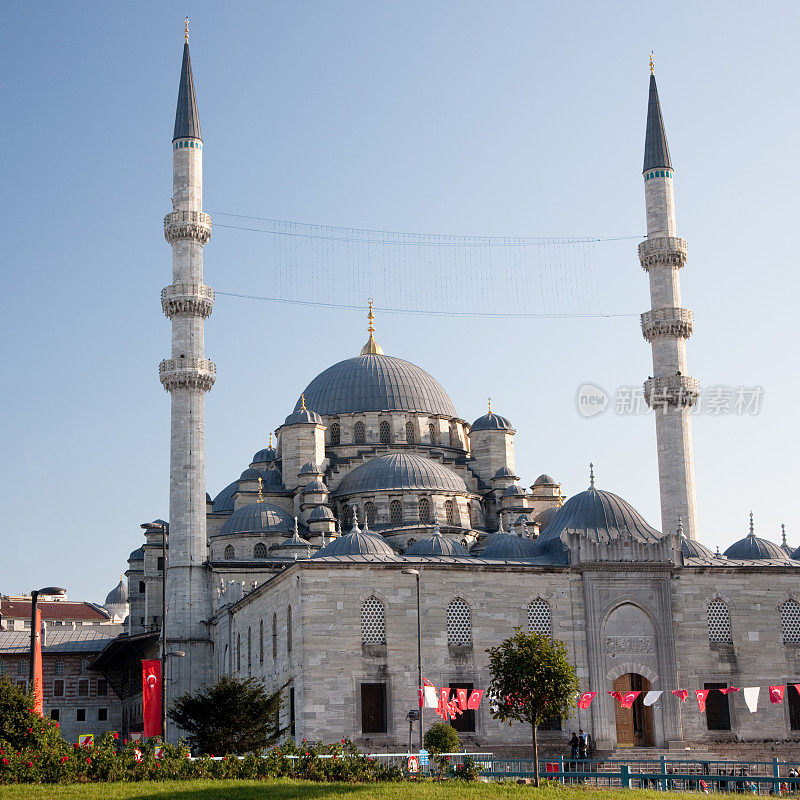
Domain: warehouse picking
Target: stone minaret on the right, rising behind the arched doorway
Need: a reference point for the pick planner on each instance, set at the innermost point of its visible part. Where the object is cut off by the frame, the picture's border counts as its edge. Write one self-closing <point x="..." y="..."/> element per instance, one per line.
<point x="670" y="392"/>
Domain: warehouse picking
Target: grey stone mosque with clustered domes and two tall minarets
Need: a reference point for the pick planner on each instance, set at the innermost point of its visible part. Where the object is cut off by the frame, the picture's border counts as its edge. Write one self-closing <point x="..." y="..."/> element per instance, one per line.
<point x="303" y="570"/>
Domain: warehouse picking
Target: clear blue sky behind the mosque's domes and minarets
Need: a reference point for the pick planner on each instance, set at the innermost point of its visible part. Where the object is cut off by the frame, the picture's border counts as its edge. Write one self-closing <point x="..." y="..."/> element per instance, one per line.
<point x="505" y="118"/>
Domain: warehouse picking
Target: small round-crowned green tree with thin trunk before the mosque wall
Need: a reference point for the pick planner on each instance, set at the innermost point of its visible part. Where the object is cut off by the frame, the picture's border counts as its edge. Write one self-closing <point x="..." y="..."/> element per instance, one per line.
<point x="532" y="680"/>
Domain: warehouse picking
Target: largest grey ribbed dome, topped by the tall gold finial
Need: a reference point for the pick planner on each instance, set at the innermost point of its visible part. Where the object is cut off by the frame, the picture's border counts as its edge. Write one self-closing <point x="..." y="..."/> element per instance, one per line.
<point x="376" y="382"/>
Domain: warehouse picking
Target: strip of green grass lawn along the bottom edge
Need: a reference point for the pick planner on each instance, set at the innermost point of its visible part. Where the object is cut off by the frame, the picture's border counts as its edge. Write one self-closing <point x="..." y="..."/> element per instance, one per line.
<point x="304" y="790"/>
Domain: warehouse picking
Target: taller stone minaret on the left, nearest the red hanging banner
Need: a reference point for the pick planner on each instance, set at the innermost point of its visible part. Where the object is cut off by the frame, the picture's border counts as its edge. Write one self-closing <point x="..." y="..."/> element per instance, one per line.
<point x="187" y="375"/>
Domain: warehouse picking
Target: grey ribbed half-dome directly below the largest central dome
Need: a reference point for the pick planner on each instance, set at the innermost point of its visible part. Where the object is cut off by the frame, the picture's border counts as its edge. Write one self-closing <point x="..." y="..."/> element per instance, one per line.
<point x="400" y="471"/>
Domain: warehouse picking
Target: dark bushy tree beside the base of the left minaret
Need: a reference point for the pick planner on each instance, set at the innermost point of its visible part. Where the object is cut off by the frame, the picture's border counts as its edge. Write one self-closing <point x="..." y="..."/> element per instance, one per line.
<point x="230" y="716"/>
